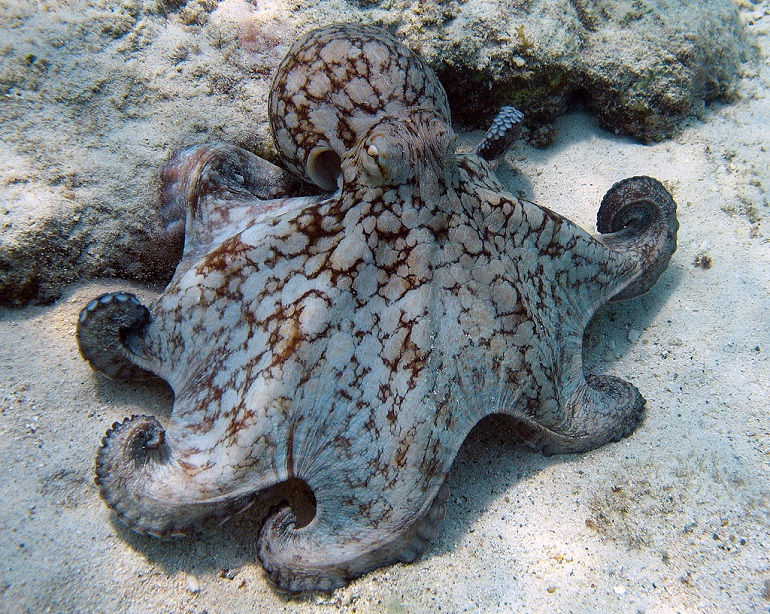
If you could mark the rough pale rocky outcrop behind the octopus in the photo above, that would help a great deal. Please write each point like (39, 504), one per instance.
(97, 95)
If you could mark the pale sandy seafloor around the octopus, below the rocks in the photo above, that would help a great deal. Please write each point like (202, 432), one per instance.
(675, 518)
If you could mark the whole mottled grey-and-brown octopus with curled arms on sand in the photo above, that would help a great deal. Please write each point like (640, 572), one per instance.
(329, 353)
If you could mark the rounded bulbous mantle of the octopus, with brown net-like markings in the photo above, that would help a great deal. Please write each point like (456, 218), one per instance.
(337, 82)
